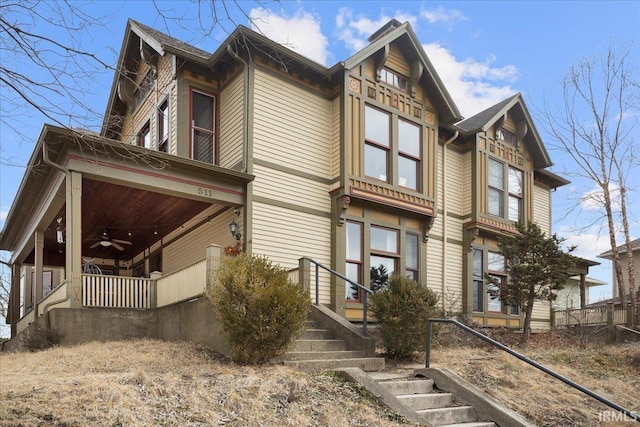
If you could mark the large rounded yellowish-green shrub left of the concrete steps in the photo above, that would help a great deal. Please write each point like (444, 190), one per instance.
(262, 311)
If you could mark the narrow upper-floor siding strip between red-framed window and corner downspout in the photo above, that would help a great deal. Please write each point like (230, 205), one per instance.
(231, 123)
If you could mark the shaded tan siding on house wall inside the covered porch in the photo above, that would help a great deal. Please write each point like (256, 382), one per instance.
(192, 247)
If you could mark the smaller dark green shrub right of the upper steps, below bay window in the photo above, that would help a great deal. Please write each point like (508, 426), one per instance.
(402, 310)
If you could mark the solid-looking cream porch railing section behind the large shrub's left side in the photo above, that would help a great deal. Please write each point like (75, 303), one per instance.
(182, 284)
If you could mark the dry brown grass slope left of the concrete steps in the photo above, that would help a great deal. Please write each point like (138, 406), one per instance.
(145, 383)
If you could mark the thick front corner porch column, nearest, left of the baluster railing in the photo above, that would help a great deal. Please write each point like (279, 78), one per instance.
(73, 245)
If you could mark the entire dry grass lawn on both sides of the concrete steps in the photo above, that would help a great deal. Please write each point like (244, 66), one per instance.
(155, 383)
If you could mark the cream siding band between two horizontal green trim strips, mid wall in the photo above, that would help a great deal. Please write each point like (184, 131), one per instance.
(277, 185)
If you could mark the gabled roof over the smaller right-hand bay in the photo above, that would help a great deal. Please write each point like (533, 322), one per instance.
(484, 120)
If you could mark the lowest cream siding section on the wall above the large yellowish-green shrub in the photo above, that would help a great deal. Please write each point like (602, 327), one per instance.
(285, 236)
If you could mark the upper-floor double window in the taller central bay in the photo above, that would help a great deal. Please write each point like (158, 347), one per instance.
(378, 151)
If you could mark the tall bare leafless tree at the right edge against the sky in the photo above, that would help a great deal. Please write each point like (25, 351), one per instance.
(595, 126)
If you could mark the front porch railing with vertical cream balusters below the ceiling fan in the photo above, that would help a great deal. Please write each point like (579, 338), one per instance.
(116, 292)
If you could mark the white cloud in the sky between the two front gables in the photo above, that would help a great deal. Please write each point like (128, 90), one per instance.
(473, 85)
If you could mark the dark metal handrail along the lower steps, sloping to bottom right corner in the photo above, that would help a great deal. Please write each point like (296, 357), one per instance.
(531, 362)
